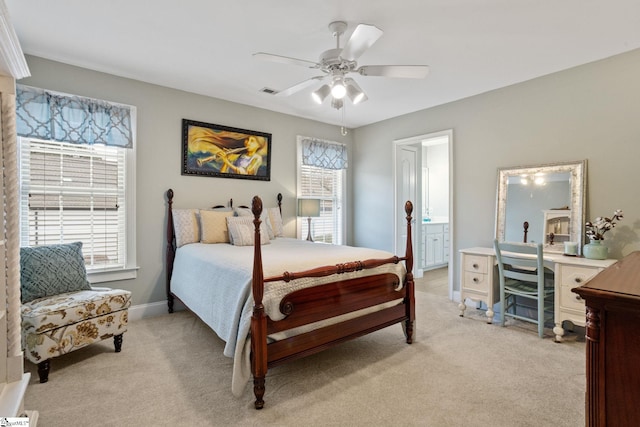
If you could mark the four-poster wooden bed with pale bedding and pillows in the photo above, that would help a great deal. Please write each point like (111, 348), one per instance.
(278, 299)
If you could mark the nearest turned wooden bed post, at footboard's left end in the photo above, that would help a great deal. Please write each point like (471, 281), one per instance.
(258, 319)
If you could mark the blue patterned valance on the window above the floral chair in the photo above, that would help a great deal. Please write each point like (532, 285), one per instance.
(59, 117)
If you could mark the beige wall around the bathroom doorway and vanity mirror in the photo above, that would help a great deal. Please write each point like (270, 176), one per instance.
(589, 112)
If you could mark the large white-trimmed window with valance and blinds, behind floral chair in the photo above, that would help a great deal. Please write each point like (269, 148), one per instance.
(74, 191)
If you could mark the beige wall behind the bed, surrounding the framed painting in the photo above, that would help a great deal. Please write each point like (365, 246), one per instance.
(160, 113)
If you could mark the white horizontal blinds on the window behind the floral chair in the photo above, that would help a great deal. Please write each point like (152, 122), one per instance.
(71, 192)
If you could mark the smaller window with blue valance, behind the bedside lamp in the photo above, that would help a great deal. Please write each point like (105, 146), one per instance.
(324, 180)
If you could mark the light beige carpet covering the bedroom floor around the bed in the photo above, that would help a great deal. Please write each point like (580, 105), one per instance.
(459, 372)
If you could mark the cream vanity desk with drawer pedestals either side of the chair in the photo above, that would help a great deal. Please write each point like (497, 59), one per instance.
(479, 282)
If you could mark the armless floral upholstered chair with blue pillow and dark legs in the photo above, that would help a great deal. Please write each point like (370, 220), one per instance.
(61, 312)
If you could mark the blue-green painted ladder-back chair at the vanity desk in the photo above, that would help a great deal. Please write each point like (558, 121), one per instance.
(522, 275)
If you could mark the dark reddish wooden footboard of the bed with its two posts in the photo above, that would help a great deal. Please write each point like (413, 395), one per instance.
(324, 302)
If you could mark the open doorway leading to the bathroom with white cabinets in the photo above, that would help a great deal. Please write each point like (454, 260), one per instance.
(423, 174)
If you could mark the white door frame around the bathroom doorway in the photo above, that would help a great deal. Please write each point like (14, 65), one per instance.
(417, 140)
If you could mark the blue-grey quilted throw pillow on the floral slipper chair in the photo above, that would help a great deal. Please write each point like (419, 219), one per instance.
(52, 270)
